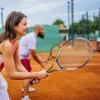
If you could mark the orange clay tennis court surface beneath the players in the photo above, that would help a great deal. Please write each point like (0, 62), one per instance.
(81, 84)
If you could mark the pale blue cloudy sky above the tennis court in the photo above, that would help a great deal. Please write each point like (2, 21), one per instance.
(47, 11)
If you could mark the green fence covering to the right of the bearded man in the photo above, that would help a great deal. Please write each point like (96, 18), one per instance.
(51, 38)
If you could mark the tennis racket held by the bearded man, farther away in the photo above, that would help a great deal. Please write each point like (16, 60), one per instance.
(53, 52)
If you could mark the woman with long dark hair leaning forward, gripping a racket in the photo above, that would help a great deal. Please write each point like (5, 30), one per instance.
(15, 27)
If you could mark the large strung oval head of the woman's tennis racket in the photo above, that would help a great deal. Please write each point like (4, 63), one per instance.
(75, 54)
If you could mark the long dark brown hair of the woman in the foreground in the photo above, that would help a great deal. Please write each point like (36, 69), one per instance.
(12, 20)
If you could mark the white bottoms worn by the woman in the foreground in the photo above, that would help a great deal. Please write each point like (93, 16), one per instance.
(3, 89)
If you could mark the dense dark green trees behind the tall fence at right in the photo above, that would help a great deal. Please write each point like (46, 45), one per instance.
(84, 26)
